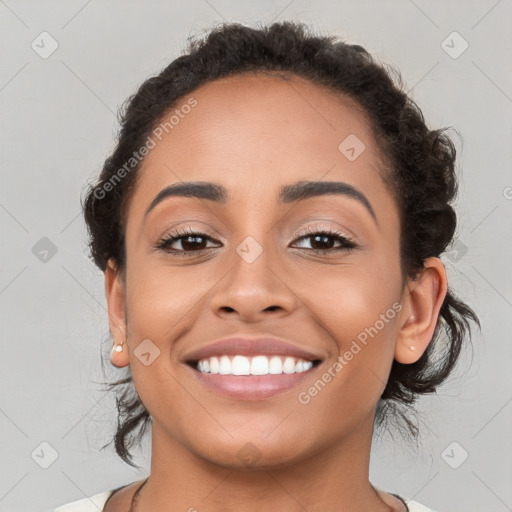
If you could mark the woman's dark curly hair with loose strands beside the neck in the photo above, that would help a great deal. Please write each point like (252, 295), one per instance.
(420, 161)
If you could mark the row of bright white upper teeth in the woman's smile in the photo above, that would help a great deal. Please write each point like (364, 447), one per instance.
(257, 365)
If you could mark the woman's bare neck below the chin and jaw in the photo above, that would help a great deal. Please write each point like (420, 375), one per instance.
(334, 477)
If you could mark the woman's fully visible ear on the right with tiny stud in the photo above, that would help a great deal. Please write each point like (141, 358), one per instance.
(422, 301)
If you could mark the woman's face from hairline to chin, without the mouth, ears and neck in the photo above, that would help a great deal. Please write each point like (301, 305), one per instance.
(320, 271)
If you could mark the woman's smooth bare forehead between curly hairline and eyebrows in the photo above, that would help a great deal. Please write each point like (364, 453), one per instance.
(258, 132)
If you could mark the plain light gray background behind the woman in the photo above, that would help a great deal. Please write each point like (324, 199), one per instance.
(58, 125)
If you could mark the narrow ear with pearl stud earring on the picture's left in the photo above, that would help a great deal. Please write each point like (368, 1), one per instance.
(115, 293)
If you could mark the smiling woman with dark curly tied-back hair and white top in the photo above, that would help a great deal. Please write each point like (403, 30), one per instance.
(270, 225)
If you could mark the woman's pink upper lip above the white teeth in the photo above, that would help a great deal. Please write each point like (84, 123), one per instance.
(250, 347)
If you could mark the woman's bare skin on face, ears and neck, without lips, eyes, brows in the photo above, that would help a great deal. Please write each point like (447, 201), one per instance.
(254, 134)
